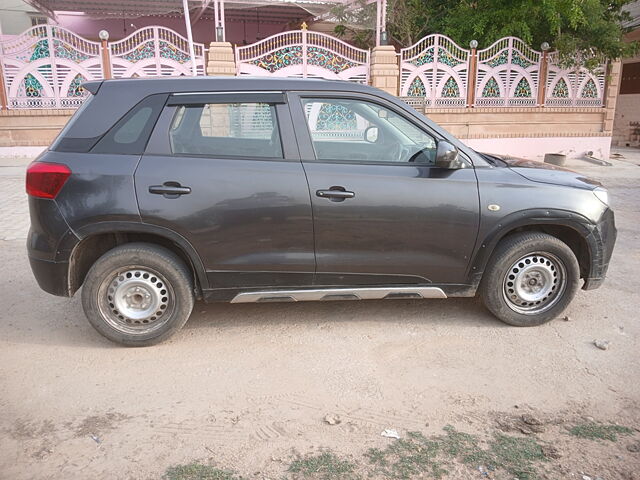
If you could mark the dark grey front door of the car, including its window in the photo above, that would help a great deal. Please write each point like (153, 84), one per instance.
(383, 213)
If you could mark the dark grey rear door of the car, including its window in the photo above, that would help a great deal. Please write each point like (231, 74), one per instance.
(223, 171)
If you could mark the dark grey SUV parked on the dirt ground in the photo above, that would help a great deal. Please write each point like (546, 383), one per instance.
(160, 192)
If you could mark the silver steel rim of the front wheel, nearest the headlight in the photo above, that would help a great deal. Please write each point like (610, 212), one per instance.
(534, 283)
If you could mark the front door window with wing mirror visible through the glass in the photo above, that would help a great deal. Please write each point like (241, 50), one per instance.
(356, 130)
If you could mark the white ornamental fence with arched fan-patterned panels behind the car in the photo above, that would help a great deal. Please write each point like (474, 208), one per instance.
(45, 66)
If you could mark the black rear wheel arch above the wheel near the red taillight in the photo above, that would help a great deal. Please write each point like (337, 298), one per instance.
(98, 239)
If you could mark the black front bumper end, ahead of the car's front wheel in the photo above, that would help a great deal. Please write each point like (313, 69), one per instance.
(601, 242)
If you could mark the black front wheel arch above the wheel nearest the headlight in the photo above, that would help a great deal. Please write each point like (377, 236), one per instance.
(569, 227)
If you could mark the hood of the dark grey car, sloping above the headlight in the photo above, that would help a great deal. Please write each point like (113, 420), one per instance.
(547, 173)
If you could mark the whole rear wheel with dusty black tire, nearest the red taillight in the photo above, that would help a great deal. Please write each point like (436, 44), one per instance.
(124, 288)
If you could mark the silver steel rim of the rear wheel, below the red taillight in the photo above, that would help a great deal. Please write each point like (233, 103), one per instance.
(136, 300)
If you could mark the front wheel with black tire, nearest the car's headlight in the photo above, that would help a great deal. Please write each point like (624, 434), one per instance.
(520, 259)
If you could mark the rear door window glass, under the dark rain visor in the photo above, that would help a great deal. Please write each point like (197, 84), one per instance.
(226, 130)
